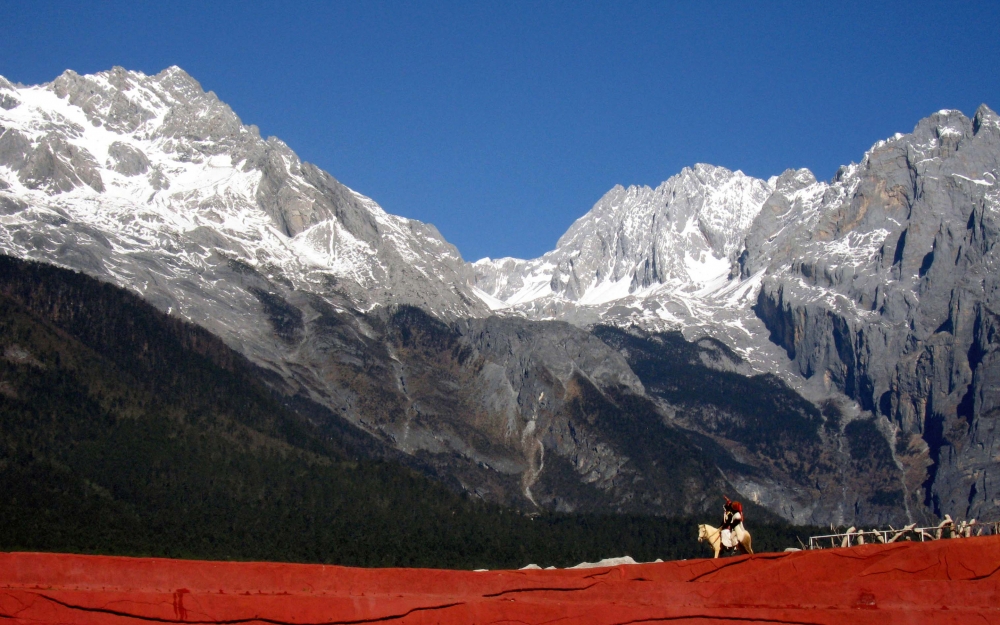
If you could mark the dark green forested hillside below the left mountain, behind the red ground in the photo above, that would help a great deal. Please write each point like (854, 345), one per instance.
(125, 431)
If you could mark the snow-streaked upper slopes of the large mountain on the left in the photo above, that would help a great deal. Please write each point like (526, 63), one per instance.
(155, 185)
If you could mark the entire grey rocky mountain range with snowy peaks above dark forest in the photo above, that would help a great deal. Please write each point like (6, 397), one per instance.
(869, 300)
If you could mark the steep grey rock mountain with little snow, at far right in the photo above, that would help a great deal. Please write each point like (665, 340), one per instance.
(883, 284)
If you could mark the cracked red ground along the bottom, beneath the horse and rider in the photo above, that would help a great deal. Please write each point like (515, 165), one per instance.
(947, 581)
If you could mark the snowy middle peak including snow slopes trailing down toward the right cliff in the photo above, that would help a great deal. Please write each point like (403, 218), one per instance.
(658, 259)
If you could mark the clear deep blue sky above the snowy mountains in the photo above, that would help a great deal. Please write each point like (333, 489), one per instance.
(501, 123)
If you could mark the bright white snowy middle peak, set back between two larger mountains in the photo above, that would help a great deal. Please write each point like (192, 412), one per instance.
(683, 235)
